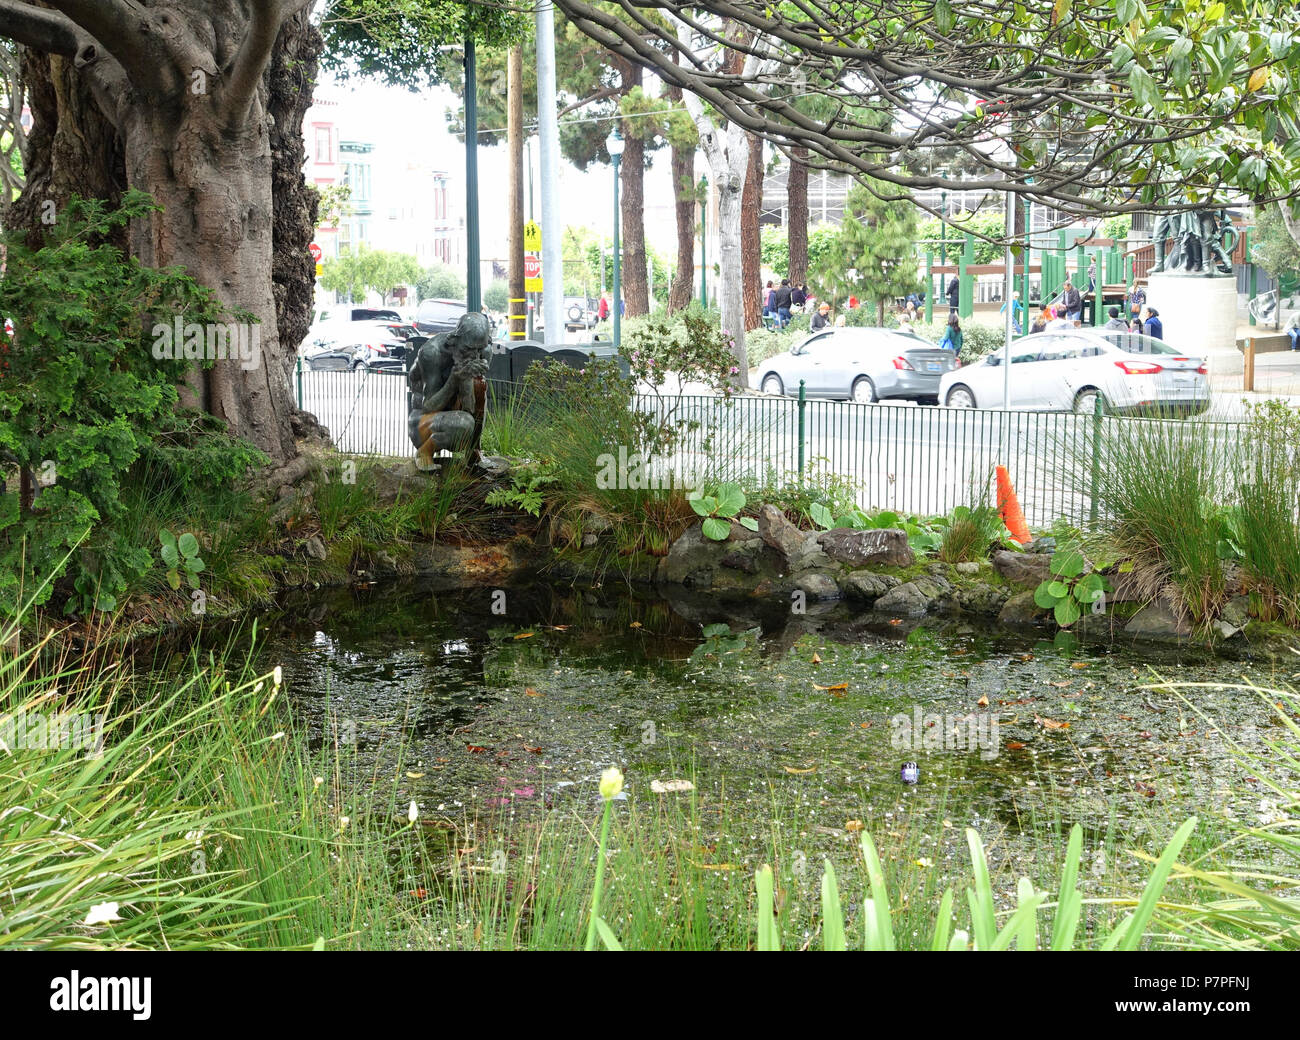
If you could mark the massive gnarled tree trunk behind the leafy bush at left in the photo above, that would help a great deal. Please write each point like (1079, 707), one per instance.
(200, 106)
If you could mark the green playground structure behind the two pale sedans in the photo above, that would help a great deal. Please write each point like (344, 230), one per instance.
(1041, 274)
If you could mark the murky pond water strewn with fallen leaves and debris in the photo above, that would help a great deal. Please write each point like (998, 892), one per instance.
(518, 712)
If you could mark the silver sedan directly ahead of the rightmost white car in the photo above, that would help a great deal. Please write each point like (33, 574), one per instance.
(860, 365)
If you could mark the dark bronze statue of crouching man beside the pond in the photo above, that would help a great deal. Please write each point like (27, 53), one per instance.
(449, 391)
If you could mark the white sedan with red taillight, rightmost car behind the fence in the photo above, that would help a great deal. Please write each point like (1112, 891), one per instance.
(1068, 370)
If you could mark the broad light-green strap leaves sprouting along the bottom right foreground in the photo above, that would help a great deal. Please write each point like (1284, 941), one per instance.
(1021, 928)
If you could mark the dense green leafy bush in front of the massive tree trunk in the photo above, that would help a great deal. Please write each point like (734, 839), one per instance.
(84, 404)
